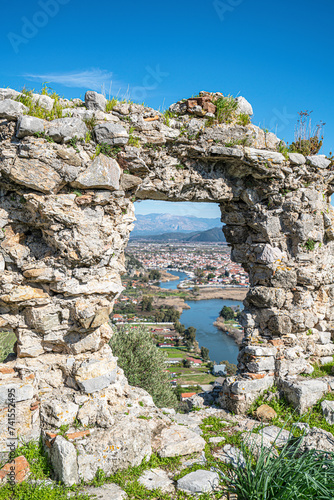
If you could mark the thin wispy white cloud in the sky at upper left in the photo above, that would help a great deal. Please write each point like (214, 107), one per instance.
(95, 79)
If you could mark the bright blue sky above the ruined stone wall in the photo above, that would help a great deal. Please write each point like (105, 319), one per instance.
(279, 55)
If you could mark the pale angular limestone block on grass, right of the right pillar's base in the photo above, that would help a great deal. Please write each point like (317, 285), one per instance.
(303, 394)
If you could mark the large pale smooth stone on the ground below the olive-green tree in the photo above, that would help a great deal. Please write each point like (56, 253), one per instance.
(178, 440)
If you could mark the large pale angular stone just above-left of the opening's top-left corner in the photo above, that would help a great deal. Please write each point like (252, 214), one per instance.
(103, 173)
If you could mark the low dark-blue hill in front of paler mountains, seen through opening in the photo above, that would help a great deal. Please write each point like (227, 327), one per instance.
(214, 235)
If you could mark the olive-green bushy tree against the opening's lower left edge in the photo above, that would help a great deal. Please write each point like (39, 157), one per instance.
(143, 364)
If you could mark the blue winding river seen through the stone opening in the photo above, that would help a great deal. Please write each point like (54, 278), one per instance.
(202, 315)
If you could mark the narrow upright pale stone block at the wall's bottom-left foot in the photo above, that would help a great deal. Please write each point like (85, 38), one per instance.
(64, 461)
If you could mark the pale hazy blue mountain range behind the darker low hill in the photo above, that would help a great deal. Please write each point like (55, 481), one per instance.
(167, 223)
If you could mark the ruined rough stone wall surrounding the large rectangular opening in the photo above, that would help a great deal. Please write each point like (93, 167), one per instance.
(66, 217)
